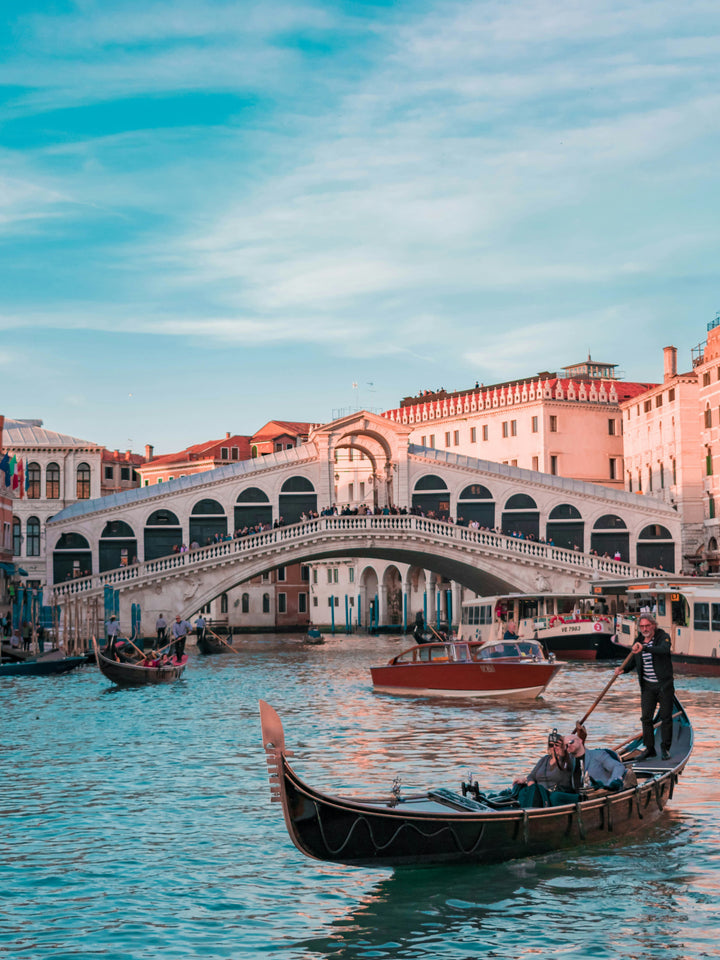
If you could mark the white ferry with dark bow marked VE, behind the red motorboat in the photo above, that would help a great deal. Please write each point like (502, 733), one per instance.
(572, 626)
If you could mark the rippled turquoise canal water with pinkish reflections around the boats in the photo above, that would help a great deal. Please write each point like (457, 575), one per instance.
(137, 823)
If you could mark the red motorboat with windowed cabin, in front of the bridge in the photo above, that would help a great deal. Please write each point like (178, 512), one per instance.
(466, 668)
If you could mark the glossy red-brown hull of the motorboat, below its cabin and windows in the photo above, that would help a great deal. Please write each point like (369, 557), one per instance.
(464, 679)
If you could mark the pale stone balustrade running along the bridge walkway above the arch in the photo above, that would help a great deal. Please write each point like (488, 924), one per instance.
(351, 529)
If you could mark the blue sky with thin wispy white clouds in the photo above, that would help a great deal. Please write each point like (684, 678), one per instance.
(213, 214)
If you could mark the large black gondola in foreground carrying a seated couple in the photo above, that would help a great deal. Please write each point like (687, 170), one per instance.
(447, 826)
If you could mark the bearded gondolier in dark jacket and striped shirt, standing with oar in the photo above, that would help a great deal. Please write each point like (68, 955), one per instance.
(652, 660)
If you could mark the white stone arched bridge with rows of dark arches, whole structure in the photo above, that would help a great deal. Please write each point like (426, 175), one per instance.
(132, 541)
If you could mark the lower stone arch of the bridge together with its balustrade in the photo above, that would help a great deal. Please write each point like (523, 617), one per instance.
(484, 561)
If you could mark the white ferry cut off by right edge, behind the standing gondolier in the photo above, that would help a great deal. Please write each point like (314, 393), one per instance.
(687, 609)
